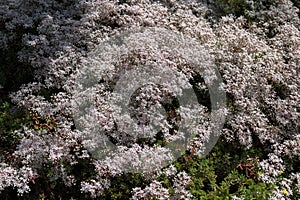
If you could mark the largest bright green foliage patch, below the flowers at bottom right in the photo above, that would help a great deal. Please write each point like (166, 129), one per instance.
(222, 174)
